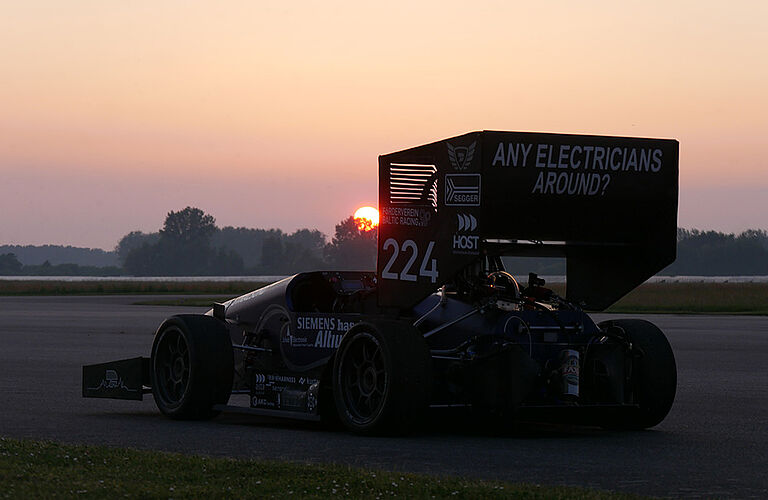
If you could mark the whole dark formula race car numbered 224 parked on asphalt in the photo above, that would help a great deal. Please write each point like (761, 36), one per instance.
(441, 323)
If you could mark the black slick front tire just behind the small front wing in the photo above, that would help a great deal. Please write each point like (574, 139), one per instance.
(191, 367)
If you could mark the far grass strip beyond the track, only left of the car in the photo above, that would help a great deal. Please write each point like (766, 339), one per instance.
(27, 287)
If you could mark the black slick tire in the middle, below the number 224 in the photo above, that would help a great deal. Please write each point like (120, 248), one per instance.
(382, 378)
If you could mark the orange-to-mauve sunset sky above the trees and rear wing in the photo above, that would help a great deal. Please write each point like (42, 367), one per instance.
(273, 114)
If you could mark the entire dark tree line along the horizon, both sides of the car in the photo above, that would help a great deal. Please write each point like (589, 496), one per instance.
(190, 243)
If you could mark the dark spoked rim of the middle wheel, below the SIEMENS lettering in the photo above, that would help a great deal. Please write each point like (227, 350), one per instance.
(364, 378)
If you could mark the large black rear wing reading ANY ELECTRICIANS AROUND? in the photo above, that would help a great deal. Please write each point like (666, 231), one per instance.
(606, 204)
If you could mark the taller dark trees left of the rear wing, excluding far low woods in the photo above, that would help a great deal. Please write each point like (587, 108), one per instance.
(190, 243)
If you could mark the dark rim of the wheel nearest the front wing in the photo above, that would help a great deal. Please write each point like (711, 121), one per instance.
(172, 366)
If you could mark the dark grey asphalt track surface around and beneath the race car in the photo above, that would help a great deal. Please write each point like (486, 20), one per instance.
(714, 443)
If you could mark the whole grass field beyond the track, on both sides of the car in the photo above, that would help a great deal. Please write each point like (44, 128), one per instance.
(663, 297)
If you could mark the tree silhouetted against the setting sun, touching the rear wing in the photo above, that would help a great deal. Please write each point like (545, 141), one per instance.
(352, 248)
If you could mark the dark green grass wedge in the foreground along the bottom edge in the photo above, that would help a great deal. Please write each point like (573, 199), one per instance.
(34, 469)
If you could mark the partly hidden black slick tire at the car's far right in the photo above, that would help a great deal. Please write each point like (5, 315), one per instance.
(654, 374)
